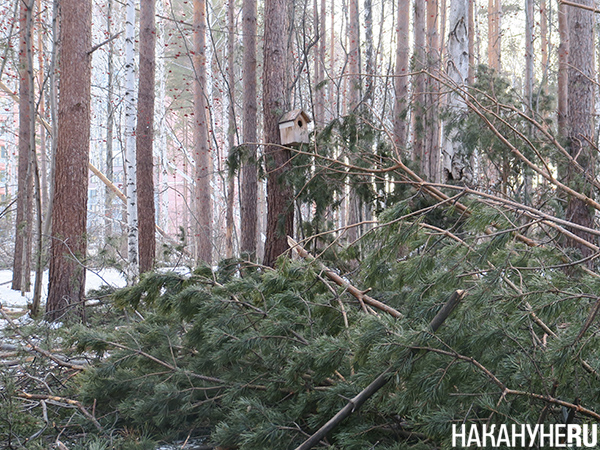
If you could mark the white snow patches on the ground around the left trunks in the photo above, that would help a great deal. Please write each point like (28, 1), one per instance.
(94, 279)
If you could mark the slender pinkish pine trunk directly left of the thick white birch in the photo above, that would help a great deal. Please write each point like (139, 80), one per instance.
(431, 166)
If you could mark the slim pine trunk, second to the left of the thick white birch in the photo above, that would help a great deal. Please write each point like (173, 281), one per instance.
(419, 80)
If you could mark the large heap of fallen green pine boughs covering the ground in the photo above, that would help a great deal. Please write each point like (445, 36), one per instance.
(261, 360)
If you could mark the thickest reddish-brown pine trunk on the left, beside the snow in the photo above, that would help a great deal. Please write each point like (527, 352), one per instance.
(69, 212)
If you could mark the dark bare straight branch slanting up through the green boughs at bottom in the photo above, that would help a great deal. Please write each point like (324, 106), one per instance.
(355, 403)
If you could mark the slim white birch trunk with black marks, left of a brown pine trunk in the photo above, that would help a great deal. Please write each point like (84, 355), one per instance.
(130, 124)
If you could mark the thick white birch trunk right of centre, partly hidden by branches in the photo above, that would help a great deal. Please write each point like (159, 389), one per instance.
(456, 163)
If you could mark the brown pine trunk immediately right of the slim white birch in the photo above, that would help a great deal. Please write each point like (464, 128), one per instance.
(145, 136)
